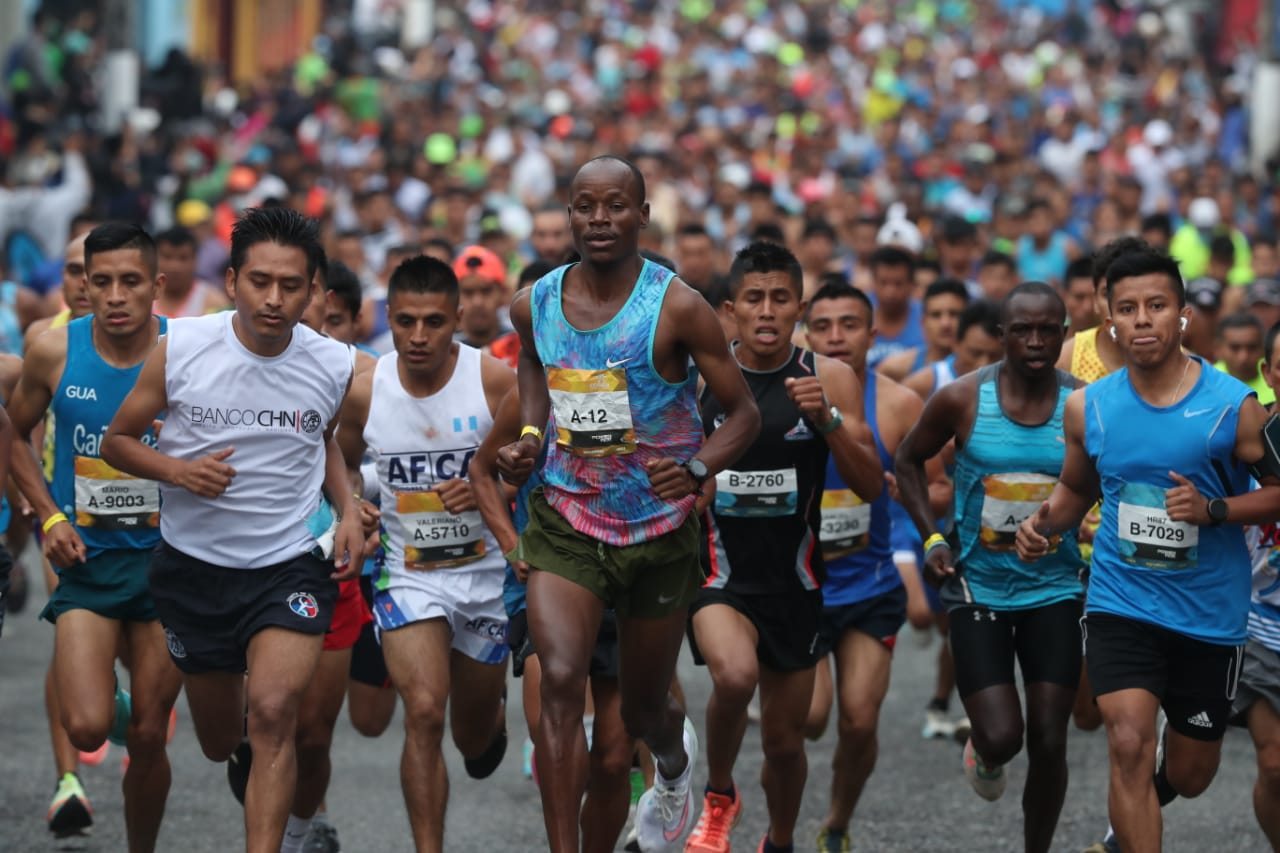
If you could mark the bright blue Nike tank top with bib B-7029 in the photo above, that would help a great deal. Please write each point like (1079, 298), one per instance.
(1190, 580)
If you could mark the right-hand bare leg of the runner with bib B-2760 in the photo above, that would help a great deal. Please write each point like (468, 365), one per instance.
(784, 706)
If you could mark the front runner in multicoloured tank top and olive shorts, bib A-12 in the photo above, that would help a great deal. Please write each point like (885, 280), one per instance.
(612, 523)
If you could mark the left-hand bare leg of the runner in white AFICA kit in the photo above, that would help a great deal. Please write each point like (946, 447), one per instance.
(418, 659)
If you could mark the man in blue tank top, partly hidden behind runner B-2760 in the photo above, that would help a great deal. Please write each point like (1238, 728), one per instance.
(865, 596)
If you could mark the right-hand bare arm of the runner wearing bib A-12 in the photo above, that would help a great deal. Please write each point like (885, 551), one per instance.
(698, 331)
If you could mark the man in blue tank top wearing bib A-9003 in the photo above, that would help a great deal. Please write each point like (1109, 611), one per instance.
(100, 527)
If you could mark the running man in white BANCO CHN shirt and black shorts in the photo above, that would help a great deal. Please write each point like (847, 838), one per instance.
(248, 445)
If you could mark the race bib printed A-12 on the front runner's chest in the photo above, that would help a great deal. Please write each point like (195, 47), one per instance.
(593, 412)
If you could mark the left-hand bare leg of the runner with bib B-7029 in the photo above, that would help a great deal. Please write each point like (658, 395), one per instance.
(1131, 720)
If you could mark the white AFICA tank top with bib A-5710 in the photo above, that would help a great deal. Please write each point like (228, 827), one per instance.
(417, 444)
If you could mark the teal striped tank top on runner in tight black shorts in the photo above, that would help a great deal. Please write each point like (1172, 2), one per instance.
(1004, 472)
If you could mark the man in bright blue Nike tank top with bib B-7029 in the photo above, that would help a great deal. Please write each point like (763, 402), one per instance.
(1169, 445)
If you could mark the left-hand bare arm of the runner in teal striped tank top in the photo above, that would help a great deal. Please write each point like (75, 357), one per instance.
(936, 427)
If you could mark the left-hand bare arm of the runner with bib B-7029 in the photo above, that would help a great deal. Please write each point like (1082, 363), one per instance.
(1077, 491)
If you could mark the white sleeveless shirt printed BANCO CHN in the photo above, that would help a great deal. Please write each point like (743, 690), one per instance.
(275, 413)
